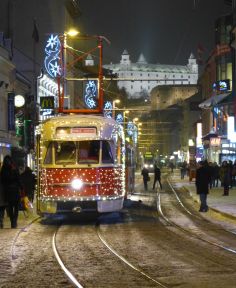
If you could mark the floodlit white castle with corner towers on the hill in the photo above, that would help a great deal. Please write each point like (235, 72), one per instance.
(139, 78)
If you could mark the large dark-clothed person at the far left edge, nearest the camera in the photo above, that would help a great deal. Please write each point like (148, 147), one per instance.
(11, 188)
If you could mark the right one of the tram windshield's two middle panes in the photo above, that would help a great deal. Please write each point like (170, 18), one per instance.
(88, 152)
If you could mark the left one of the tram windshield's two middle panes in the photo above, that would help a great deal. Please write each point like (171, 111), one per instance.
(65, 152)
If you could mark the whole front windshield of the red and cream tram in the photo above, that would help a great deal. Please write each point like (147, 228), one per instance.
(78, 152)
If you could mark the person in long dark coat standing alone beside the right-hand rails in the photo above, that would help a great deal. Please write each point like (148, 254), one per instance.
(202, 184)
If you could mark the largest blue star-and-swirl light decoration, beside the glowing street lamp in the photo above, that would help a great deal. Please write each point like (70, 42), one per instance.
(52, 57)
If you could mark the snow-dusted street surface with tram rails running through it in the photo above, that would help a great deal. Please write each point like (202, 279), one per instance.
(153, 242)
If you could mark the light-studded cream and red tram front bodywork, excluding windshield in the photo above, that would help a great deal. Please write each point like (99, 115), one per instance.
(100, 182)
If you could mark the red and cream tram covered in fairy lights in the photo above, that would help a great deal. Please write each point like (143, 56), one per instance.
(81, 160)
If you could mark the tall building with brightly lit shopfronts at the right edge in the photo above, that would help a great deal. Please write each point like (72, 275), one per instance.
(218, 92)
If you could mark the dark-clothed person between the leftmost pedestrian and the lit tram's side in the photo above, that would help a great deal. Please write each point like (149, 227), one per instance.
(28, 181)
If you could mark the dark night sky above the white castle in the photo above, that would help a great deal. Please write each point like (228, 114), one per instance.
(165, 31)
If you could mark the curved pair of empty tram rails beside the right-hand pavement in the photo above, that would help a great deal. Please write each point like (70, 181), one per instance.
(197, 217)
